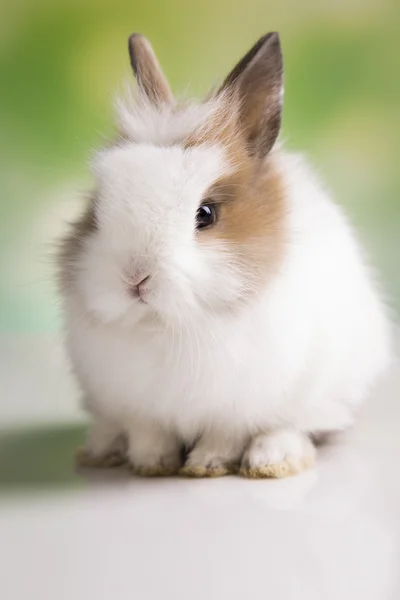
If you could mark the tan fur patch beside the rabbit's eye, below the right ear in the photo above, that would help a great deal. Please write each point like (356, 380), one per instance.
(250, 200)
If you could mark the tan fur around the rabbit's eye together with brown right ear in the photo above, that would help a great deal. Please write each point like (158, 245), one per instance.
(250, 200)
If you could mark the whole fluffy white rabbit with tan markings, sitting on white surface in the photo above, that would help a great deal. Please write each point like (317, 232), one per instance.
(219, 312)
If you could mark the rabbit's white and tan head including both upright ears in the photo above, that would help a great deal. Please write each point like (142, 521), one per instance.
(187, 218)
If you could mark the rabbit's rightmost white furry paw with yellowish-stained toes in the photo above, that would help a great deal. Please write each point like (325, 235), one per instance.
(277, 454)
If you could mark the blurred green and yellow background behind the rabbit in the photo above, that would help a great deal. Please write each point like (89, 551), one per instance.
(61, 60)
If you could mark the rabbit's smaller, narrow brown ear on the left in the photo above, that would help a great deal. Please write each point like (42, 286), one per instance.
(149, 75)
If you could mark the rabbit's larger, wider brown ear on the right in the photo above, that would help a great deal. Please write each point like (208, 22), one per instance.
(257, 80)
